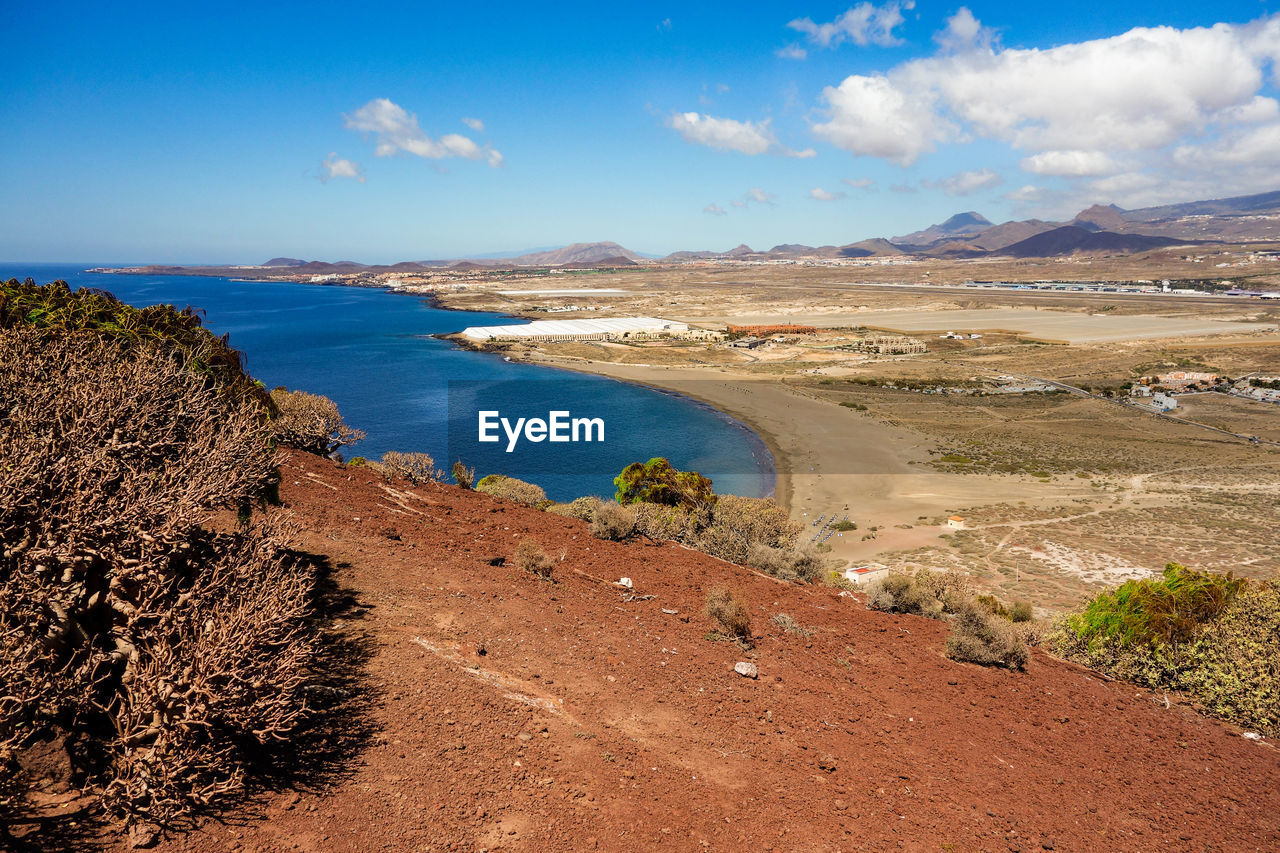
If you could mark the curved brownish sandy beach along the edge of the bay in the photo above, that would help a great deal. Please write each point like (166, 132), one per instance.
(834, 460)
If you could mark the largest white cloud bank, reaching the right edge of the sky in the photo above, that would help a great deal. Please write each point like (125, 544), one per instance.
(1144, 115)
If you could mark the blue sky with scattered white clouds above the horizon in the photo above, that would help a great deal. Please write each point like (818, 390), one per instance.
(385, 133)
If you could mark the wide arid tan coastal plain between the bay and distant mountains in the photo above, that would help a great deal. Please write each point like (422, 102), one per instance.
(1063, 491)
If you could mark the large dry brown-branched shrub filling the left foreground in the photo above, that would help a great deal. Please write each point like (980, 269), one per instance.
(163, 653)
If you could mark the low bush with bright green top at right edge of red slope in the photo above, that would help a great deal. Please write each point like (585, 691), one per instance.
(1214, 637)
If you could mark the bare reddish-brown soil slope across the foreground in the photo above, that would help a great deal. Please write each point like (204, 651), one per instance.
(510, 713)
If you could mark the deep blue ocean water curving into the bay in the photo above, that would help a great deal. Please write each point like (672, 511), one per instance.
(372, 353)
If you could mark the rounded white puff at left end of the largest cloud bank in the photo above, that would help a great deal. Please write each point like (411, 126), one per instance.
(874, 117)
